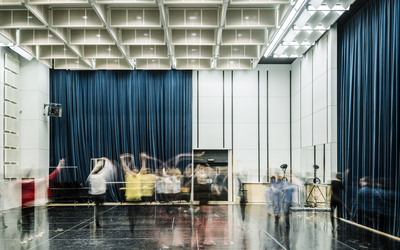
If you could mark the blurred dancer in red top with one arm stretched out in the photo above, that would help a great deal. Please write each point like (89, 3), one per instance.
(28, 200)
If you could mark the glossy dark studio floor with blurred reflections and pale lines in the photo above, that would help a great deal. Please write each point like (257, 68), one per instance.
(180, 227)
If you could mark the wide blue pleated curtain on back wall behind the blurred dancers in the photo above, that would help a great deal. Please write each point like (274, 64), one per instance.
(107, 113)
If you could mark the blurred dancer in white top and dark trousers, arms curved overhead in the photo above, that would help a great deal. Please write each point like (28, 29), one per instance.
(98, 185)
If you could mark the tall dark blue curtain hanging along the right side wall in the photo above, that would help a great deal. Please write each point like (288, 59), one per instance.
(368, 115)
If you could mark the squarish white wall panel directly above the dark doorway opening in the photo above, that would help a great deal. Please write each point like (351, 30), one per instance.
(210, 135)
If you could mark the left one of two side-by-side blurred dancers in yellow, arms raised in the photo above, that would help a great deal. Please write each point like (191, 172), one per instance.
(133, 188)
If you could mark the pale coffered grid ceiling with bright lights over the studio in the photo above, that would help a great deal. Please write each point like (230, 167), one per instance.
(164, 34)
